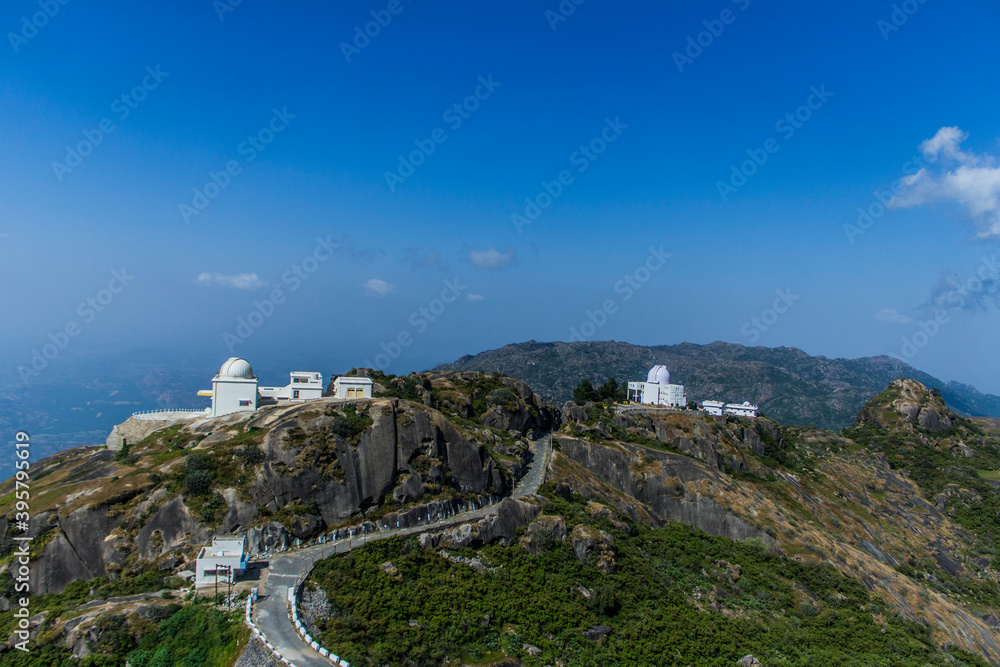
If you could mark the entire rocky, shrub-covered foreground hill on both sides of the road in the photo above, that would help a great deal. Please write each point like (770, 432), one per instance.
(887, 529)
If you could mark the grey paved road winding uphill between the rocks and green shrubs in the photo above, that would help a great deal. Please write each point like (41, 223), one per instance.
(271, 610)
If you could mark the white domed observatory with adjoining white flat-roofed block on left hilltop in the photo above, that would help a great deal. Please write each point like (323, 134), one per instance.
(235, 388)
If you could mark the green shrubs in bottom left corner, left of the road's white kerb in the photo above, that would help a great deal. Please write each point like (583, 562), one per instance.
(168, 635)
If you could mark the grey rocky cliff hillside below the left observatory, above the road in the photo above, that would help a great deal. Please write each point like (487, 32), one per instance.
(281, 474)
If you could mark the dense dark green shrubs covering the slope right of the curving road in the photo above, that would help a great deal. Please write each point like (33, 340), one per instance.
(663, 606)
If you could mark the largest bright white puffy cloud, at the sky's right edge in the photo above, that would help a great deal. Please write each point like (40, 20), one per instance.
(970, 180)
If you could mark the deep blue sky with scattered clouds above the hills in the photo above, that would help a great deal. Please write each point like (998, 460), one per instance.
(662, 130)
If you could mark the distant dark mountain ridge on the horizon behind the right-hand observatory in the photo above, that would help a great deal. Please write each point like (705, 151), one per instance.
(788, 384)
